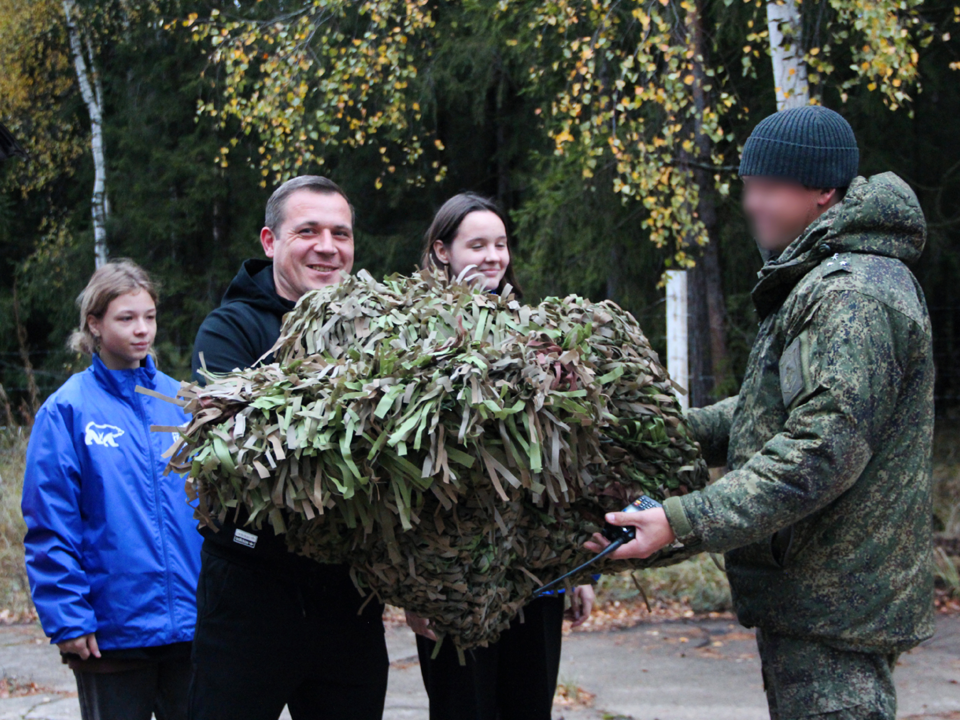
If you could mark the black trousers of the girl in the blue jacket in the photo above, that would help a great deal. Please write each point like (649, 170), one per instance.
(137, 694)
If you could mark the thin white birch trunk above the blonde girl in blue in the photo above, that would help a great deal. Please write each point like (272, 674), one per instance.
(91, 90)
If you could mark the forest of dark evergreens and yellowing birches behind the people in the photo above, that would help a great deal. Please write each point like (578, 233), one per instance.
(608, 129)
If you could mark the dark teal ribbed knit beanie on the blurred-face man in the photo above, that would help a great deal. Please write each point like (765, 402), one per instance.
(811, 145)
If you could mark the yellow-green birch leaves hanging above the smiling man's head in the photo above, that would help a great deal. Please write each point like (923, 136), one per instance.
(328, 73)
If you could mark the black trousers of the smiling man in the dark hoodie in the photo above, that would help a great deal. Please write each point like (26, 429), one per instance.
(266, 639)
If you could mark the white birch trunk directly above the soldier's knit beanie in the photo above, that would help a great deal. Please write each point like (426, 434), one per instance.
(784, 24)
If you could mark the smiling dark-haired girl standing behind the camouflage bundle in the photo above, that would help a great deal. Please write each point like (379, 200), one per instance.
(516, 677)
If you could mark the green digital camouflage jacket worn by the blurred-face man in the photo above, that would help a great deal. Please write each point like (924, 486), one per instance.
(825, 513)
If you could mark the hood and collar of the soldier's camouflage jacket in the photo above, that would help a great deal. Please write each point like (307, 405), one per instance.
(879, 216)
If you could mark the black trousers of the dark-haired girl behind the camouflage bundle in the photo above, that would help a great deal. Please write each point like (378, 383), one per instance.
(512, 679)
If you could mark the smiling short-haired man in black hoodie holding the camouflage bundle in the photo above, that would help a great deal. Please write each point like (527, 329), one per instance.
(274, 628)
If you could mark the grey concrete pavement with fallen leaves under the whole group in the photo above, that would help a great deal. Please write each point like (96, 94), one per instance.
(683, 670)
